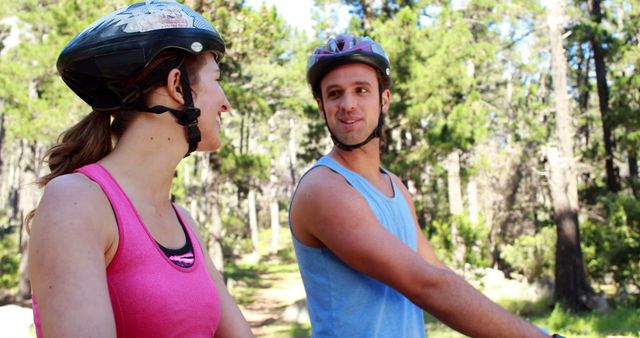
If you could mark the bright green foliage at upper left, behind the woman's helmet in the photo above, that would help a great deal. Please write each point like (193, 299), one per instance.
(37, 104)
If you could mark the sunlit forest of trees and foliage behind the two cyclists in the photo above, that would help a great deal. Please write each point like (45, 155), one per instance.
(514, 124)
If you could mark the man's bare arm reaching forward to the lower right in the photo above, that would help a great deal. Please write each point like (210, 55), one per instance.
(327, 208)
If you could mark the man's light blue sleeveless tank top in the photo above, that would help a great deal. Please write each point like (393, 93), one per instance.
(345, 303)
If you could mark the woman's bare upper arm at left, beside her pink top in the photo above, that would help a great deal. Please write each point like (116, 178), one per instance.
(73, 229)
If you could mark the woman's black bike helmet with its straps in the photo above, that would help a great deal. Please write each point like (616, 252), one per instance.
(121, 45)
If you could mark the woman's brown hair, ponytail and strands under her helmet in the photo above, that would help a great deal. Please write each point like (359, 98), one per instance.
(93, 137)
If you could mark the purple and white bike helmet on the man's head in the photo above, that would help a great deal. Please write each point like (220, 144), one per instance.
(345, 49)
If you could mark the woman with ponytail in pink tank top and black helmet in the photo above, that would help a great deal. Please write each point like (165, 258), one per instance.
(110, 255)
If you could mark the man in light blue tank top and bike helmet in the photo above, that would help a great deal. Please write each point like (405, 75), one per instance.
(367, 269)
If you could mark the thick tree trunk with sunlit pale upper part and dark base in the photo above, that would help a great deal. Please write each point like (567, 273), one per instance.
(571, 289)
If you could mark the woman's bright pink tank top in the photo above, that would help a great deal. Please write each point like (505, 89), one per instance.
(150, 295)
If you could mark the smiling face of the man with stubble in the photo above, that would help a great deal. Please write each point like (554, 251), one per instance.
(351, 101)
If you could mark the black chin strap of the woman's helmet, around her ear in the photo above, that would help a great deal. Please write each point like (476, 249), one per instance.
(187, 117)
